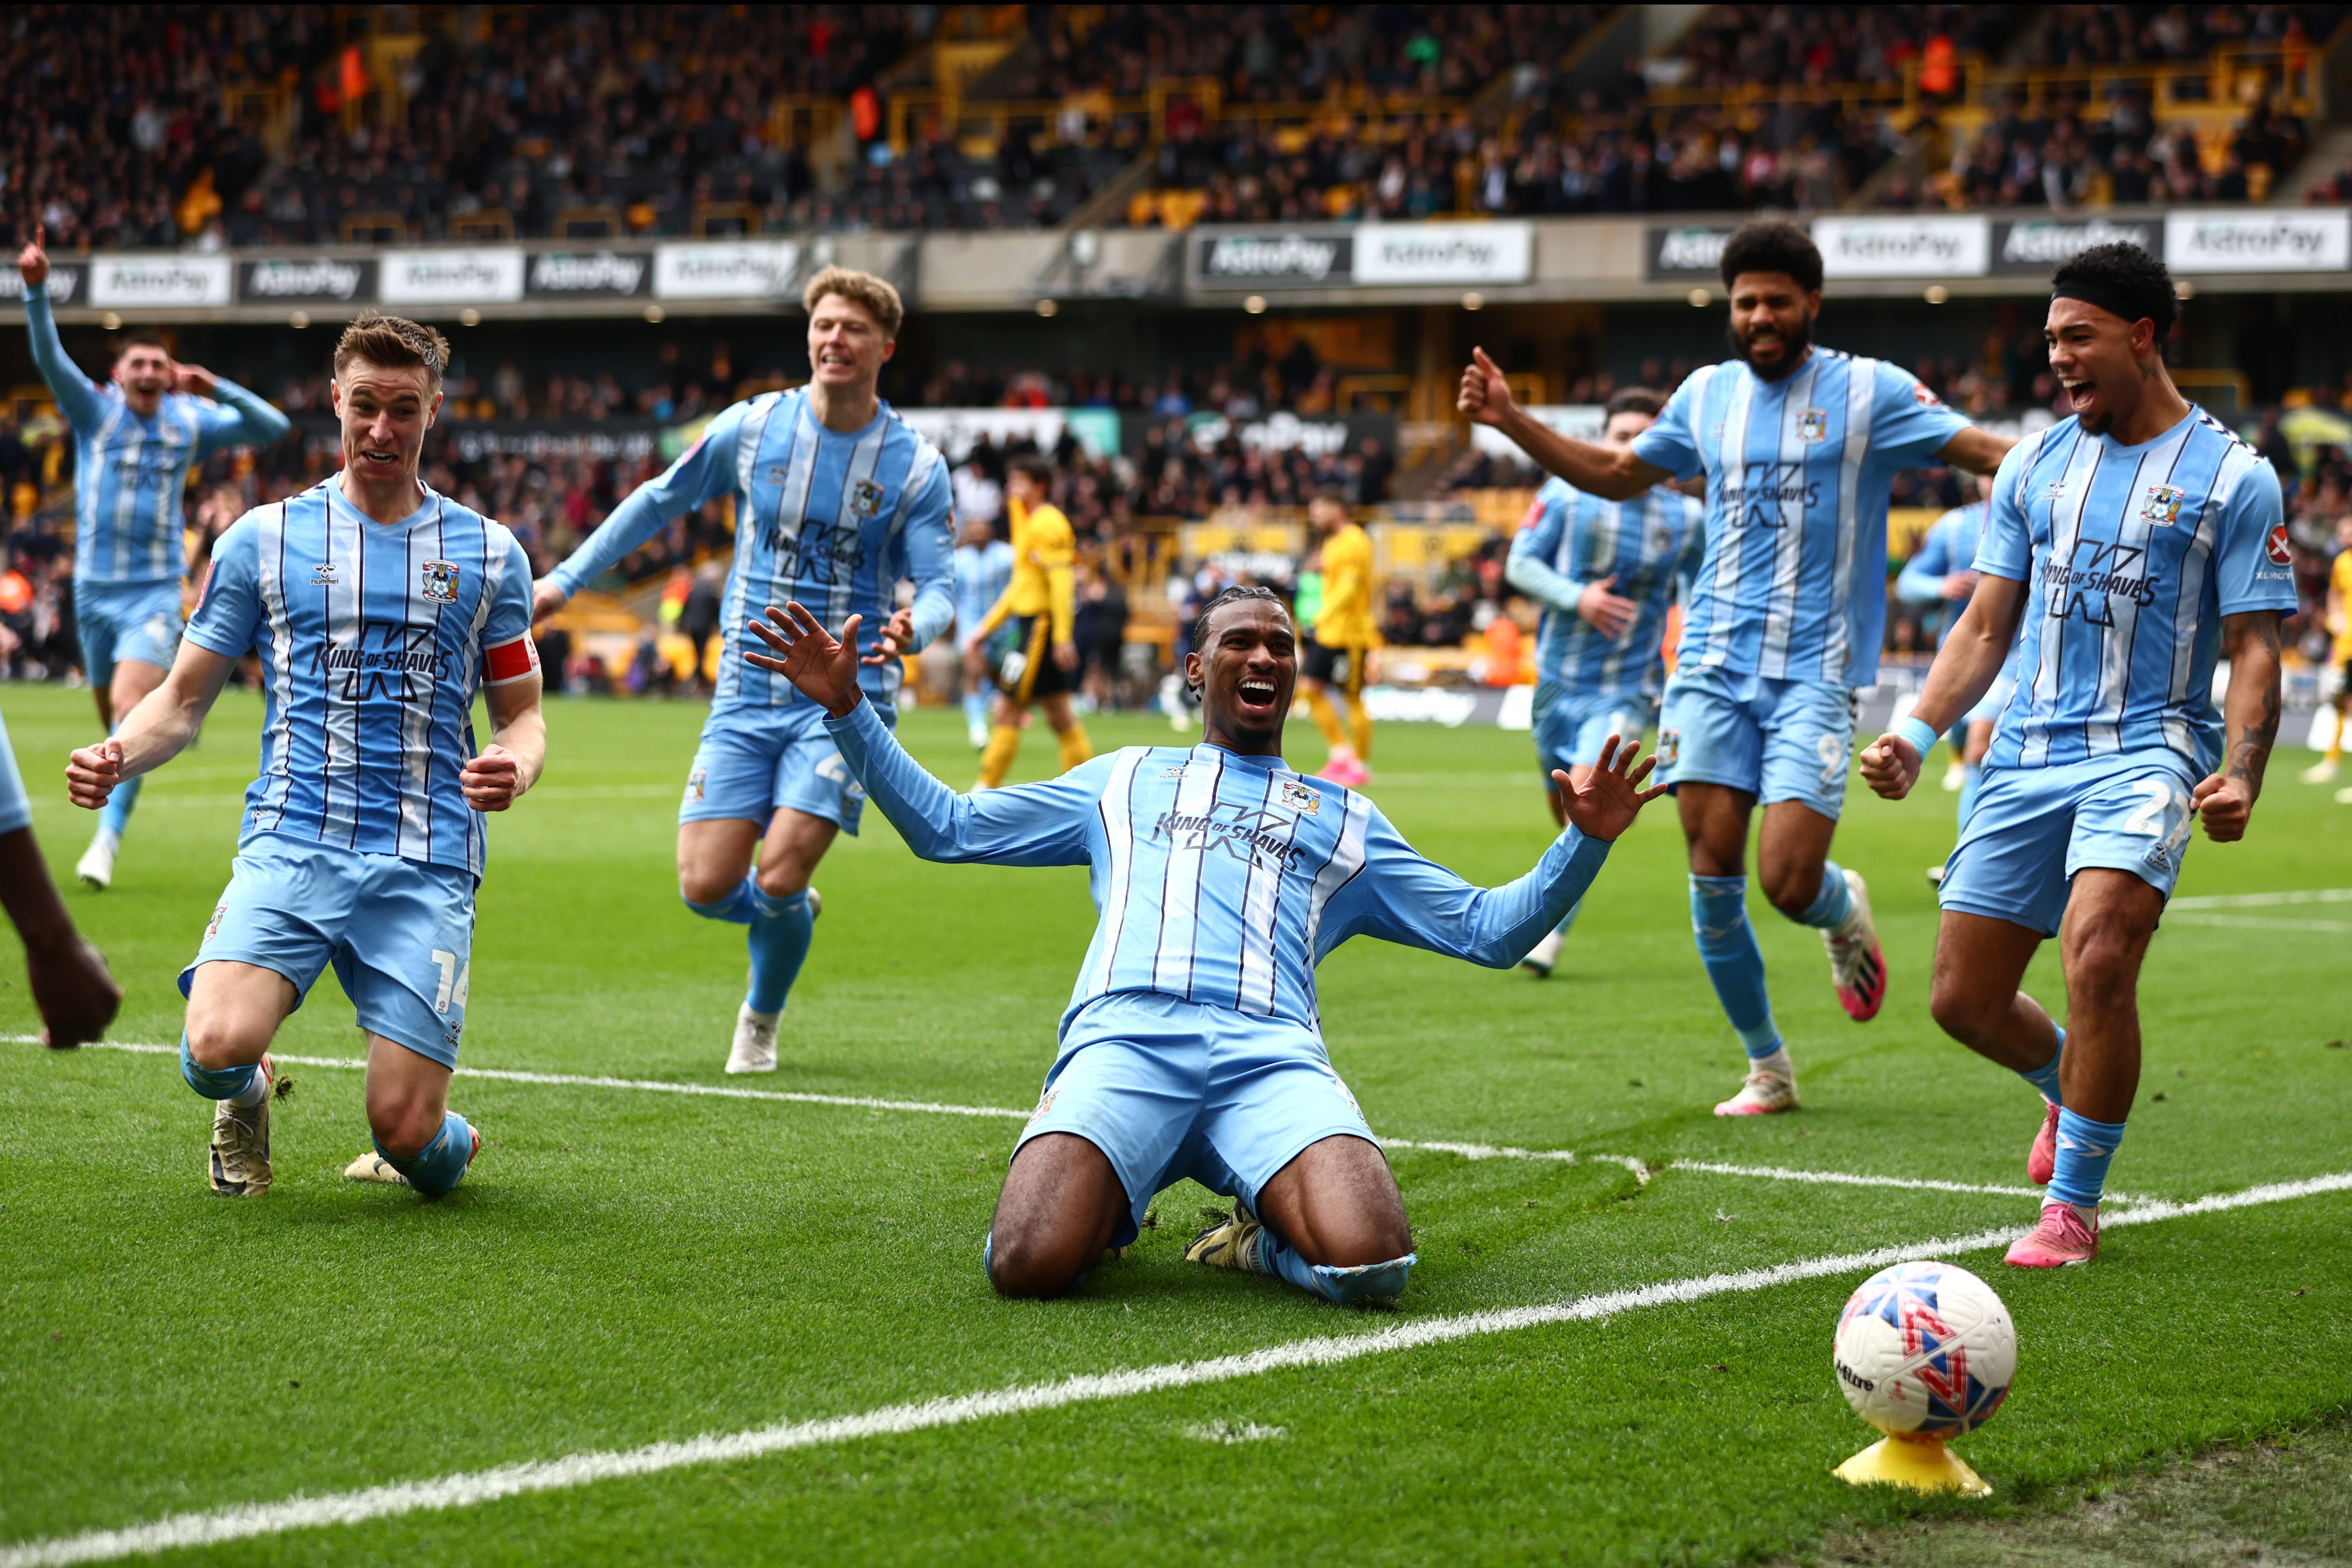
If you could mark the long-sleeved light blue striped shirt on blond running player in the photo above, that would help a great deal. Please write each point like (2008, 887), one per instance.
(822, 518)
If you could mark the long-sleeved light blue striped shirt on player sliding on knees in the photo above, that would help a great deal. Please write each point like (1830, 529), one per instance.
(1220, 878)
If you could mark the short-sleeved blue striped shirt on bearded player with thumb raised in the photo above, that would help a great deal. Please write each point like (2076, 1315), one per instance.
(1793, 584)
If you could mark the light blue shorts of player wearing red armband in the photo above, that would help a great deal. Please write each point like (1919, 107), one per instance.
(399, 934)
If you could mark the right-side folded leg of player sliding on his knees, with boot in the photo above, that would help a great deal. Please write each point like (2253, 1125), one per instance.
(1330, 1221)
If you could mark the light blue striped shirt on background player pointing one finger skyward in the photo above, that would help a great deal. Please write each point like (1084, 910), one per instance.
(131, 471)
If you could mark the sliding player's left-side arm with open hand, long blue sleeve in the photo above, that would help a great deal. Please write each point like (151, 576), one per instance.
(1041, 824)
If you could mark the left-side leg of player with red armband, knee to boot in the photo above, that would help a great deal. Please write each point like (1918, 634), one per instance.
(234, 1012)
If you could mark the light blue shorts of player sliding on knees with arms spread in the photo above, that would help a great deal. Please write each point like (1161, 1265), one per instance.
(1175, 1090)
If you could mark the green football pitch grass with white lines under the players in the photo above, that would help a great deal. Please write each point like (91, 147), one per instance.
(1589, 1367)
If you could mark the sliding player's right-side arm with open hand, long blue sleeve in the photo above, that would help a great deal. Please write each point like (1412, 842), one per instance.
(1408, 899)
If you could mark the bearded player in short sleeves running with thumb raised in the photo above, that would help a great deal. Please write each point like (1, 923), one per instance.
(1798, 445)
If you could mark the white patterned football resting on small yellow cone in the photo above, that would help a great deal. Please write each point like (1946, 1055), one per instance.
(1925, 1351)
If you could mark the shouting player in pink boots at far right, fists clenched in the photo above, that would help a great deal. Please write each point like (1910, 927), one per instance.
(2132, 544)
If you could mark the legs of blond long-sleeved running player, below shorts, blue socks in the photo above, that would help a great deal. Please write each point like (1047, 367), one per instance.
(775, 899)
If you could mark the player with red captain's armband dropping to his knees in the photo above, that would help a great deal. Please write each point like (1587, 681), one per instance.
(377, 608)
